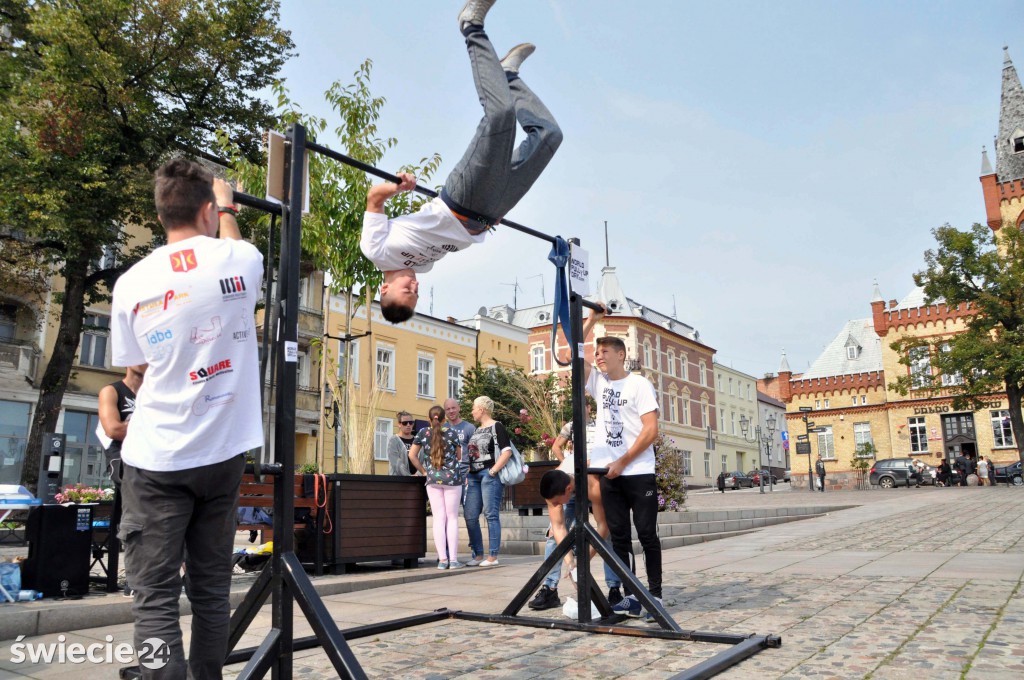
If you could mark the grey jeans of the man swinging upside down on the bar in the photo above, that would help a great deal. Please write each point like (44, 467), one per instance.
(494, 175)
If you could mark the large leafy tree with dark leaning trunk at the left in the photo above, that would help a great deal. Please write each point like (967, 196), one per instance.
(95, 95)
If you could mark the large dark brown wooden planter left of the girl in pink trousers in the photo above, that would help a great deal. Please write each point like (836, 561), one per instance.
(371, 519)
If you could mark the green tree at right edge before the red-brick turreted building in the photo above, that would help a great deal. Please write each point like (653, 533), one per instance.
(985, 272)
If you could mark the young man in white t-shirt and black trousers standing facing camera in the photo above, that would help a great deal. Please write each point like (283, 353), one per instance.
(627, 428)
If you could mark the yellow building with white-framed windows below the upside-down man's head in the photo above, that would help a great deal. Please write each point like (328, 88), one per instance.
(407, 367)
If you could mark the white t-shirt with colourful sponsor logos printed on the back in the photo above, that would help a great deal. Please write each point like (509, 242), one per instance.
(188, 312)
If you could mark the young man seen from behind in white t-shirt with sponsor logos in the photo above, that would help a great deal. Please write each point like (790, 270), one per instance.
(187, 312)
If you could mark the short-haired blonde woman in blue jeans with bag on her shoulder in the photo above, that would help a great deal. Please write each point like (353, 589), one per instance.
(490, 450)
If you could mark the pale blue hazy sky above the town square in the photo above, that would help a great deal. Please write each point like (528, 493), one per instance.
(760, 165)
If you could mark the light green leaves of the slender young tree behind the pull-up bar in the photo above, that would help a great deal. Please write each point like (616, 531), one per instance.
(337, 192)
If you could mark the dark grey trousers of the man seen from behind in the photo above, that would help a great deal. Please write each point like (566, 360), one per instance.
(175, 518)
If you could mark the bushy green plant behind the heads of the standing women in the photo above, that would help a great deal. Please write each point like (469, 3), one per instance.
(546, 401)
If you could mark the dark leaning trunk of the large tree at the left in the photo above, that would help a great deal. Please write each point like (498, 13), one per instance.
(55, 381)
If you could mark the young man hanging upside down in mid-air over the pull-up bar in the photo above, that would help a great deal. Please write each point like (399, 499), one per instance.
(487, 184)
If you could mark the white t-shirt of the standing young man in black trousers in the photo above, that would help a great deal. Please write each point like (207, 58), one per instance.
(620, 405)
